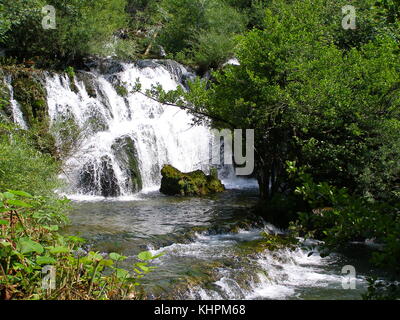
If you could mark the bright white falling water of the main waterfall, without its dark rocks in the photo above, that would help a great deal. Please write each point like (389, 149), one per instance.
(162, 134)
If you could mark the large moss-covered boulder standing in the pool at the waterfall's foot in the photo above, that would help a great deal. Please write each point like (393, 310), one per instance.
(196, 183)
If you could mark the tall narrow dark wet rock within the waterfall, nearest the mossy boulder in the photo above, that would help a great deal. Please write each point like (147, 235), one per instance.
(127, 158)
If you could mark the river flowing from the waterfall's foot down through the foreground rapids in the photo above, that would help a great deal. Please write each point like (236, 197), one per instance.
(210, 248)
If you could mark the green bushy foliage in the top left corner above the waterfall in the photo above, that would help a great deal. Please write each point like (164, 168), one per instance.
(82, 27)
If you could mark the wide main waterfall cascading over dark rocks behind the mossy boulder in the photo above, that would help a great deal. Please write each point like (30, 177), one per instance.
(124, 138)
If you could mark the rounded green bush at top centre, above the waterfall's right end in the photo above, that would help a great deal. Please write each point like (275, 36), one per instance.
(201, 32)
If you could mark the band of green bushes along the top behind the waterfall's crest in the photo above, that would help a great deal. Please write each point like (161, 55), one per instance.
(196, 32)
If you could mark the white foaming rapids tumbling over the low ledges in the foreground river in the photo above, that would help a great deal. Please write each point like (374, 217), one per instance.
(281, 274)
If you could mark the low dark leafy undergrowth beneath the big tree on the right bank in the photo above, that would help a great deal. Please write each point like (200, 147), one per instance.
(337, 217)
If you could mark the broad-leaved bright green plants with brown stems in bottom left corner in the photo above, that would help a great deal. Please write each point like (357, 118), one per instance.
(27, 243)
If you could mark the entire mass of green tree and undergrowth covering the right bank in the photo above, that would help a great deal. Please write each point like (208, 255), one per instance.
(328, 101)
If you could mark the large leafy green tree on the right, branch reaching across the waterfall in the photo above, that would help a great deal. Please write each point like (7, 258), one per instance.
(329, 108)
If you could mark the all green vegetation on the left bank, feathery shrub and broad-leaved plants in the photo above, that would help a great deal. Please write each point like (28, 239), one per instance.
(29, 238)
